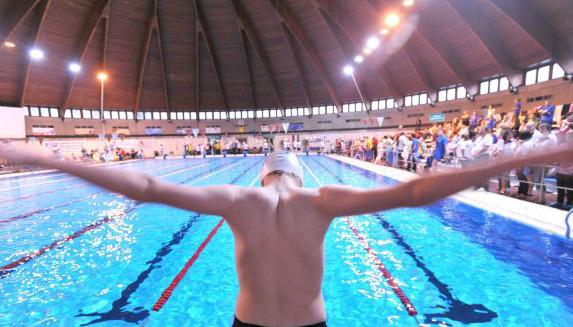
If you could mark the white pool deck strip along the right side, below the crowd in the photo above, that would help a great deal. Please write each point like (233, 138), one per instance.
(541, 217)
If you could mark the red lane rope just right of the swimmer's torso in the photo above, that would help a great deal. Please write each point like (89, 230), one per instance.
(408, 305)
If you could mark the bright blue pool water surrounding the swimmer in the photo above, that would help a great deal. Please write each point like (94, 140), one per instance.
(458, 265)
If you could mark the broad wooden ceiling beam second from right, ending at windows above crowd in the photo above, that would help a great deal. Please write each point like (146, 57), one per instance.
(488, 38)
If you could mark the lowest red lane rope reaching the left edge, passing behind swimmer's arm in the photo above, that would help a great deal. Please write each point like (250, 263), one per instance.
(7, 269)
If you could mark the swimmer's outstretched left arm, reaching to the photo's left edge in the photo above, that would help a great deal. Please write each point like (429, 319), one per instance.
(215, 200)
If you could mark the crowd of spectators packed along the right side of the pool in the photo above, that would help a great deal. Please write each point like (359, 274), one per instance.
(477, 138)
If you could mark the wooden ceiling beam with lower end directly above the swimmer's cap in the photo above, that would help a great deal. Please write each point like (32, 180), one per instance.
(253, 39)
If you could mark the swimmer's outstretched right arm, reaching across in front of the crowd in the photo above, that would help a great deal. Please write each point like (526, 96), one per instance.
(336, 201)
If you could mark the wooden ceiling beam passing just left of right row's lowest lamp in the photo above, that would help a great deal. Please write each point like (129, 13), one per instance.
(285, 17)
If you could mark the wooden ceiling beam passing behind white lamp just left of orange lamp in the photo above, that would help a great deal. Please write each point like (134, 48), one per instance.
(101, 10)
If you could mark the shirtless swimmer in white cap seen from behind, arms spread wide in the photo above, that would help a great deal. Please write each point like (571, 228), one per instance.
(279, 229)
